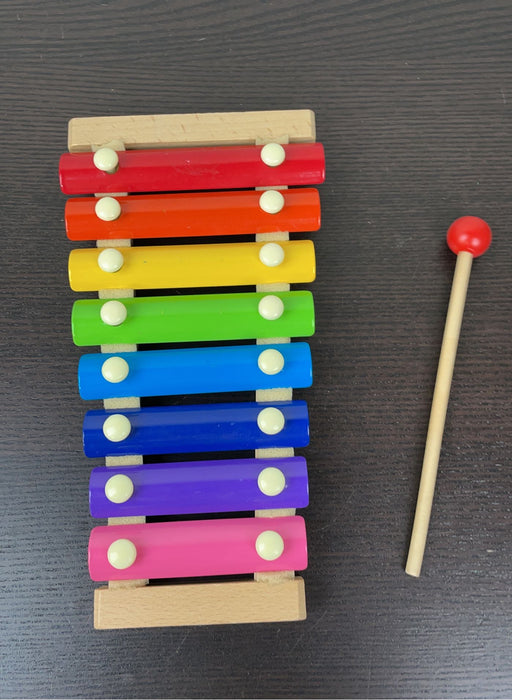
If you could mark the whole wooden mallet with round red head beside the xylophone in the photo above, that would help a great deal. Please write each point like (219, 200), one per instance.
(468, 237)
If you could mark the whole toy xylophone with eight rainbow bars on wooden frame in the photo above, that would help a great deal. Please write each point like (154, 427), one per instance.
(194, 176)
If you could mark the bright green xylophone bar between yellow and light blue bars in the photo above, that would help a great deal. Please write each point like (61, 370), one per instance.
(202, 317)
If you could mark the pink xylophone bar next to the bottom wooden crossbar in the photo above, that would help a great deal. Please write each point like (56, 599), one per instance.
(197, 548)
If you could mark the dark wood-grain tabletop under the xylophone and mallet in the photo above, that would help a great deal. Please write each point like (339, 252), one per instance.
(413, 105)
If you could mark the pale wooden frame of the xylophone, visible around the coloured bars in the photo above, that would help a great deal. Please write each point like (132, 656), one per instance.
(276, 596)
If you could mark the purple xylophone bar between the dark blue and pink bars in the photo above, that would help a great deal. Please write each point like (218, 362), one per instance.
(213, 486)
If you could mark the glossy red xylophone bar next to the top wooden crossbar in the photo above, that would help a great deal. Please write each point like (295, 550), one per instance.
(186, 169)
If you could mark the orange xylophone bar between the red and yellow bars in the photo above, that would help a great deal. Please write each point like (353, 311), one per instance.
(193, 214)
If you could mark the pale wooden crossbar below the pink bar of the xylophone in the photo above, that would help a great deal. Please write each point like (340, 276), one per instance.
(230, 602)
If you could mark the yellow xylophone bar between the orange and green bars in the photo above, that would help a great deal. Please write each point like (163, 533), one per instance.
(175, 266)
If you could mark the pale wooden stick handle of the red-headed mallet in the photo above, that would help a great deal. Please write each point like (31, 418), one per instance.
(438, 412)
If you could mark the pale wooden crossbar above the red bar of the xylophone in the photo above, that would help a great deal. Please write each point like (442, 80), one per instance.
(178, 130)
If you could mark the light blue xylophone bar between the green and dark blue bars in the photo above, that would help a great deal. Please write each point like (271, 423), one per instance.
(195, 371)
